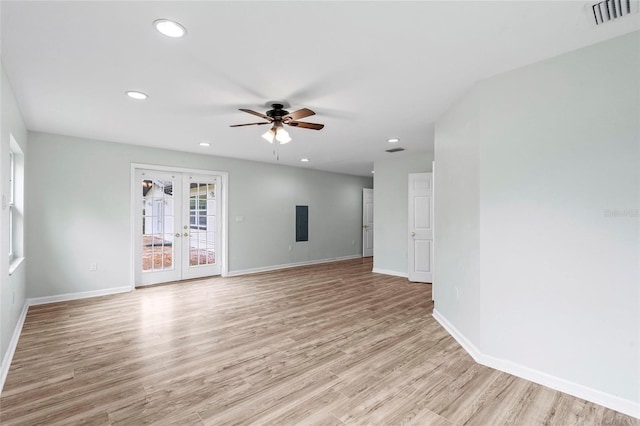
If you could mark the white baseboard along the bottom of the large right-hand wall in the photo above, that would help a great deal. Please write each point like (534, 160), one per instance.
(614, 402)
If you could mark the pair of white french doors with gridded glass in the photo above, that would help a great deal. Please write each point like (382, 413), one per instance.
(177, 226)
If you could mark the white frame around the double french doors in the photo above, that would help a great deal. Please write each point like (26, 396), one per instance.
(224, 181)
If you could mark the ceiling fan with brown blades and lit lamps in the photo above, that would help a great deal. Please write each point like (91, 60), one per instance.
(278, 116)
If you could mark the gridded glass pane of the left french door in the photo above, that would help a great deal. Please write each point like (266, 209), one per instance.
(157, 225)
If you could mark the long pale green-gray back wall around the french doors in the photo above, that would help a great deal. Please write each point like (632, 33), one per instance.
(79, 212)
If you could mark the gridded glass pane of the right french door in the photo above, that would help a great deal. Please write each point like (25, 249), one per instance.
(202, 223)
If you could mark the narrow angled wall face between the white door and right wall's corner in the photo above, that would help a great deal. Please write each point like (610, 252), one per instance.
(456, 281)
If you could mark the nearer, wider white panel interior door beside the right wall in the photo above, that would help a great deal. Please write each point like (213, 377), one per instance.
(420, 237)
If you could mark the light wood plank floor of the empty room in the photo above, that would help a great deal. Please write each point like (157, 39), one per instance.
(330, 344)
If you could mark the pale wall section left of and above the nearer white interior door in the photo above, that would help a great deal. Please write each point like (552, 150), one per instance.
(390, 209)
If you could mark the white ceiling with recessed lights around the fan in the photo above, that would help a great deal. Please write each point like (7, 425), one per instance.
(370, 70)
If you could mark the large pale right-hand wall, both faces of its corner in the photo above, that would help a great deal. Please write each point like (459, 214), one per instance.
(538, 189)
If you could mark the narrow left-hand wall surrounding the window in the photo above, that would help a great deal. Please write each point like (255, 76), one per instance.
(12, 287)
